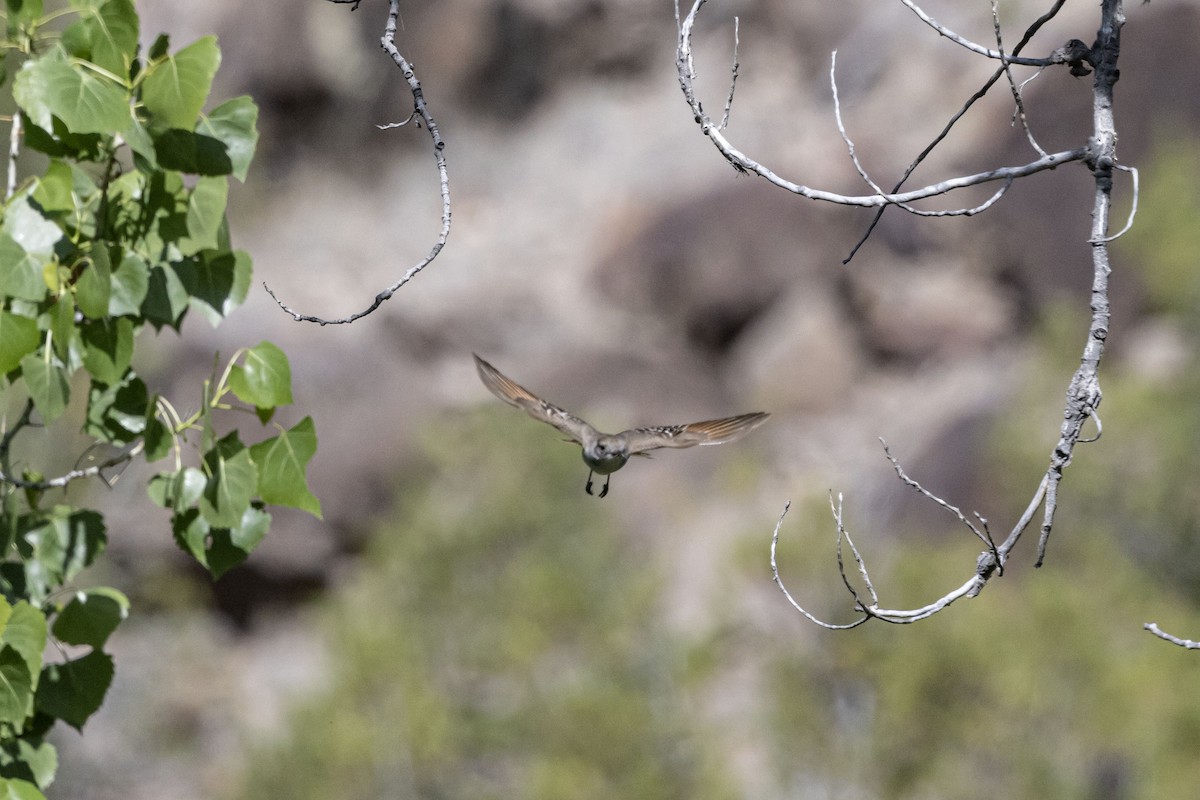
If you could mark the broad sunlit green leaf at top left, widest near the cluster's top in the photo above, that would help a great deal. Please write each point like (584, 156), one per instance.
(51, 87)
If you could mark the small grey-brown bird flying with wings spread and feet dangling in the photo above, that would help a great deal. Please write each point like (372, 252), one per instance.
(607, 453)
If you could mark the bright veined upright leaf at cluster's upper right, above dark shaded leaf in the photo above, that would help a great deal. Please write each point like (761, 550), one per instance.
(176, 88)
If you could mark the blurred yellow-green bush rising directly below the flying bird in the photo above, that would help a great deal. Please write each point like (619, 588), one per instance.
(503, 640)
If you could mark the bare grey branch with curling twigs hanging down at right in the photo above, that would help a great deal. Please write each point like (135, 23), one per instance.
(1084, 393)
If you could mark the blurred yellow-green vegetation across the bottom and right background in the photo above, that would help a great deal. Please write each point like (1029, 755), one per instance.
(507, 637)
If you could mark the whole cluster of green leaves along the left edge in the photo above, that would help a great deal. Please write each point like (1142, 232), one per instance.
(124, 230)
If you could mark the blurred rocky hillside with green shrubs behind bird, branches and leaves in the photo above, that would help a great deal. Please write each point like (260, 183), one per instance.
(467, 623)
